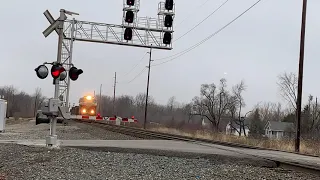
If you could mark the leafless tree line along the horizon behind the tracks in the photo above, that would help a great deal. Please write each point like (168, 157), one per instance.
(216, 104)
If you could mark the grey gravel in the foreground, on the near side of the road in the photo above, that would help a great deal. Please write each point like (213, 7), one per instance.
(23, 162)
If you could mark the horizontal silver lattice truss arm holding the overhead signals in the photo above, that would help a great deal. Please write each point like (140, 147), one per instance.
(111, 34)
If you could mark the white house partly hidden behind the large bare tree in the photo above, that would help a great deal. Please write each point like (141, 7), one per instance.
(233, 128)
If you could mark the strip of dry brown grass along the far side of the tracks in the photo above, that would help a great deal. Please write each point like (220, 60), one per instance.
(307, 146)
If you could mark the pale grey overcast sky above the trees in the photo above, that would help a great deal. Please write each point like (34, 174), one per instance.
(256, 48)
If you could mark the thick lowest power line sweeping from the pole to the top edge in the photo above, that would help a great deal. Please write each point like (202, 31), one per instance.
(207, 38)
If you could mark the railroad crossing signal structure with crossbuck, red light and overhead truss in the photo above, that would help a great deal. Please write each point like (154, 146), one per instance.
(143, 29)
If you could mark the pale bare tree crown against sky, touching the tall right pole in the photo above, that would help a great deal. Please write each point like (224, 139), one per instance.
(288, 84)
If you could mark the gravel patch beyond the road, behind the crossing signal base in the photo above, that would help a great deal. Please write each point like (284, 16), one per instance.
(28, 130)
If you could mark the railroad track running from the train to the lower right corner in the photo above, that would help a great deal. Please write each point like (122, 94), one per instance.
(147, 134)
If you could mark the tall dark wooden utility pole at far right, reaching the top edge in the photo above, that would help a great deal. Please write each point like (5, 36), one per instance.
(300, 78)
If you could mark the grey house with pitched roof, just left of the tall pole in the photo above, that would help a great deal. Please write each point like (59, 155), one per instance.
(278, 130)
